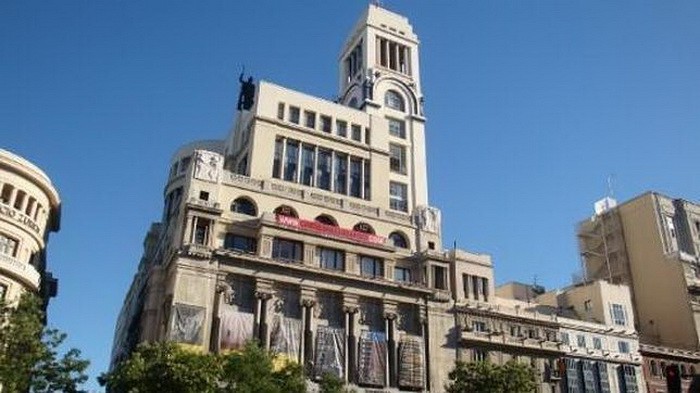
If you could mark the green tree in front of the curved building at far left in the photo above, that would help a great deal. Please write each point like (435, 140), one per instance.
(29, 352)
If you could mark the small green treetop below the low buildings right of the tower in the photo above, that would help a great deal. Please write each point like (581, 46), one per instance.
(486, 377)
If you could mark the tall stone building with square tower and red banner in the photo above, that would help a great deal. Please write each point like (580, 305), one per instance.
(309, 229)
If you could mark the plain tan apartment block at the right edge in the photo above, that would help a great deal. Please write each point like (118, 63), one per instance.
(652, 244)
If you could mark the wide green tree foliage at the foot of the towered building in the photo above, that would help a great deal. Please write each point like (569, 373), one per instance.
(168, 367)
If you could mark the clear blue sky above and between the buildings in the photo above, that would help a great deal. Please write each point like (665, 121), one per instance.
(530, 106)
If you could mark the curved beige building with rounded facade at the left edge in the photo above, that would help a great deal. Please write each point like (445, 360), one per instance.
(30, 209)
